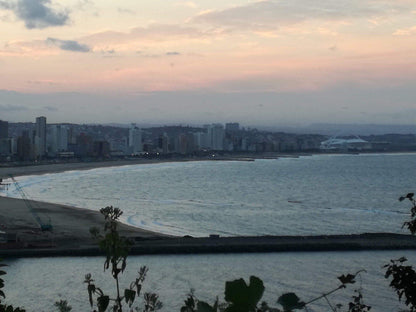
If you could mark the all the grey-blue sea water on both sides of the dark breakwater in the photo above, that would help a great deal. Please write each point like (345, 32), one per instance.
(321, 194)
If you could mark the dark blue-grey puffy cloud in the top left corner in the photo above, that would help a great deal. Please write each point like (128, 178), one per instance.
(36, 13)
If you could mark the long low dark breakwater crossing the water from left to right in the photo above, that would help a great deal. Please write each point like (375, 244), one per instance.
(244, 244)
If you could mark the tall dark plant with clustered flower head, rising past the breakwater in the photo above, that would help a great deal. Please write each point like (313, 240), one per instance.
(116, 249)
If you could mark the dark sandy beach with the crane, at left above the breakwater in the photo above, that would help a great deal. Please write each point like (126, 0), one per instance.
(70, 225)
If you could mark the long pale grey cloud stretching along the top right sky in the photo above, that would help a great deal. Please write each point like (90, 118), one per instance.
(275, 13)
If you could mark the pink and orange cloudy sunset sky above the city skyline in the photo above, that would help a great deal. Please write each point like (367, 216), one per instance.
(266, 62)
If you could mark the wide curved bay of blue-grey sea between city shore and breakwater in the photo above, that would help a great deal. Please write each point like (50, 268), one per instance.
(323, 194)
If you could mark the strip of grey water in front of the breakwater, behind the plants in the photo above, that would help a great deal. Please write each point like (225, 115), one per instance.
(37, 283)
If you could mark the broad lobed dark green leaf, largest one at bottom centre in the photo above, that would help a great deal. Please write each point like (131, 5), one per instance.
(243, 296)
